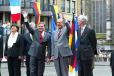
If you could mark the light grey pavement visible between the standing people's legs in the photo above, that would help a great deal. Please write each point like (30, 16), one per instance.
(101, 69)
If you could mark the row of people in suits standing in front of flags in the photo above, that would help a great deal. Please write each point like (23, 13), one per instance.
(33, 45)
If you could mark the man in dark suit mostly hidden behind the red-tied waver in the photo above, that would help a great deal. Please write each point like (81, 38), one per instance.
(27, 38)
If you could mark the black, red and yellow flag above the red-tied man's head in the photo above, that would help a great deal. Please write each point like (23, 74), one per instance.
(37, 12)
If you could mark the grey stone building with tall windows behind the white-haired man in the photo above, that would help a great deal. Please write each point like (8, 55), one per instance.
(100, 17)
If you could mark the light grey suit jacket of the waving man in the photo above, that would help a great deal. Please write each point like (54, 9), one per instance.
(61, 44)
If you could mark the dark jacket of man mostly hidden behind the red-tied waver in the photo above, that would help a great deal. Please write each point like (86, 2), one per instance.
(27, 43)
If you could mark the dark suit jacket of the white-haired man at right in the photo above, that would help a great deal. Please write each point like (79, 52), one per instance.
(87, 44)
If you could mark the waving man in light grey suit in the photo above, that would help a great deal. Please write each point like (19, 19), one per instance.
(61, 51)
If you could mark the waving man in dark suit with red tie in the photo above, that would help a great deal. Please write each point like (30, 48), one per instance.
(41, 40)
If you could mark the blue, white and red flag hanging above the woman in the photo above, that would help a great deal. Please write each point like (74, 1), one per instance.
(15, 7)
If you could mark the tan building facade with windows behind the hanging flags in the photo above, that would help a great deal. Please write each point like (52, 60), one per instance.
(65, 6)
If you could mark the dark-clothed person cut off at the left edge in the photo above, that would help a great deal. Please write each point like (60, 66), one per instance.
(1, 46)
